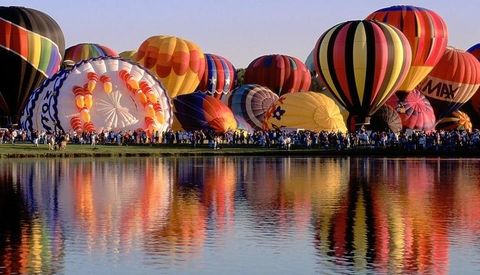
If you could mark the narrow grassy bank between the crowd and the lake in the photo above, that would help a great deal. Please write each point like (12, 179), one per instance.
(73, 150)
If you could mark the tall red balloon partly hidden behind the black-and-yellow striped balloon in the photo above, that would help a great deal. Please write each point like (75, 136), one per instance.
(426, 33)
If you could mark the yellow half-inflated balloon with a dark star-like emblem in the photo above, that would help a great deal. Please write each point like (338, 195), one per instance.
(306, 110)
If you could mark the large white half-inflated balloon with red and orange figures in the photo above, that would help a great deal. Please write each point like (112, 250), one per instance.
(104, 93)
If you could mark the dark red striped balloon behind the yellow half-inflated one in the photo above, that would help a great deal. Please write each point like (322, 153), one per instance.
(280, 73)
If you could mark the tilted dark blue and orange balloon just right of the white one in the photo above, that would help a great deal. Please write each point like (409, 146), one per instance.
(198, 111)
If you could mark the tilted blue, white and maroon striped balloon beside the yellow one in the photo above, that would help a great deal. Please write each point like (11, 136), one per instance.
(251, 102)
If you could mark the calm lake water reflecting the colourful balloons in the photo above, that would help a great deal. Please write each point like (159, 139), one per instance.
(240, 215)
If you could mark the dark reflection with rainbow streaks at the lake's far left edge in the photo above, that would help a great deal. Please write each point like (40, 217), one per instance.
(29, 243)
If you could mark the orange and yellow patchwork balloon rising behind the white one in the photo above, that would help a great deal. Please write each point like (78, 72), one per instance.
(178, 63)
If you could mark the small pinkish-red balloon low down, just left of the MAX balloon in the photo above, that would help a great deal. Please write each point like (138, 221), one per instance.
(415, 111)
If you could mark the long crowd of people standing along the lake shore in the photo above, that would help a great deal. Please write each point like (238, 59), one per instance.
(406, 140)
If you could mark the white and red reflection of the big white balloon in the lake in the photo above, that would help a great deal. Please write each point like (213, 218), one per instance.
(112, 215)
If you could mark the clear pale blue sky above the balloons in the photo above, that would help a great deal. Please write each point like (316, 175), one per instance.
(238, 30)
